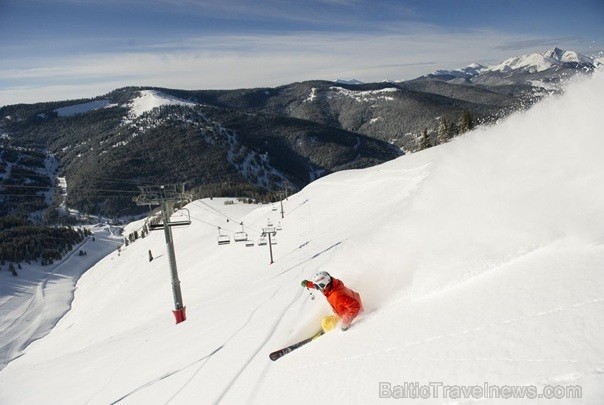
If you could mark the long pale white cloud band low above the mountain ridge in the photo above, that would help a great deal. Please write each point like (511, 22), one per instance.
(244, 61)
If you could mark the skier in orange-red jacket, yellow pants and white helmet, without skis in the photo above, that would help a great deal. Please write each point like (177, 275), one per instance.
(345, 303)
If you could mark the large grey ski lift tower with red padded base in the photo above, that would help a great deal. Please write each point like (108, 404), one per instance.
(167, 195)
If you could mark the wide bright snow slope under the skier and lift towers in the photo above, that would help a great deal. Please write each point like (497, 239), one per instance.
(480, 261)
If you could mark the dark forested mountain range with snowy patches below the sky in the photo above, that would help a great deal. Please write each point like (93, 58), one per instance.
(246, 141)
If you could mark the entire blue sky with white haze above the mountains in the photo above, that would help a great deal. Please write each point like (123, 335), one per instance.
(66, 49)
